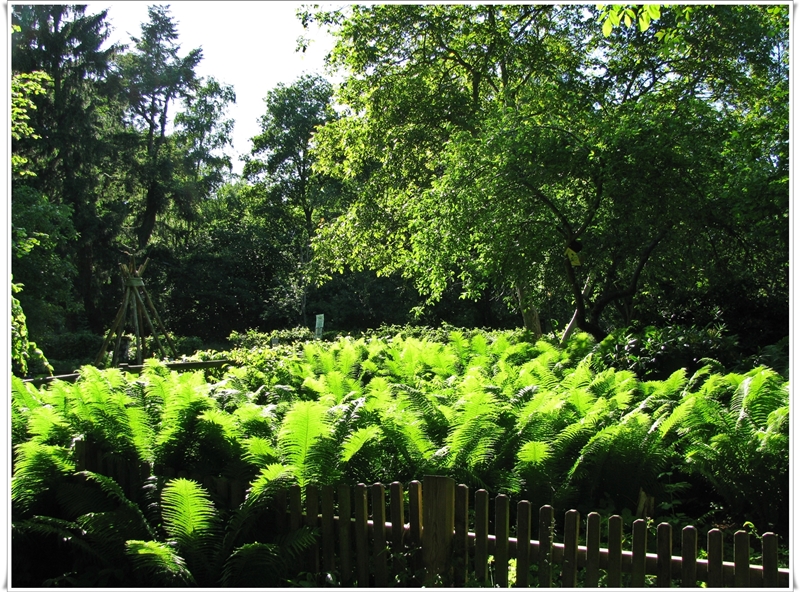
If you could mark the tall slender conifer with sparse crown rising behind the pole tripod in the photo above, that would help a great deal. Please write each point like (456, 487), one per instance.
(155, 77)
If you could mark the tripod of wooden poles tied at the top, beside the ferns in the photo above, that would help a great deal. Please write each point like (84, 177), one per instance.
(133, 300)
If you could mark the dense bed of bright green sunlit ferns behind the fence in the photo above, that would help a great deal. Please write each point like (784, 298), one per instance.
(493, 410)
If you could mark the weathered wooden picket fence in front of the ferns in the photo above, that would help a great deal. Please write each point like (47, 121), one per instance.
(434, 537)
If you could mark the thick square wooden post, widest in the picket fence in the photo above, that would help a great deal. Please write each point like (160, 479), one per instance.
(438, 521)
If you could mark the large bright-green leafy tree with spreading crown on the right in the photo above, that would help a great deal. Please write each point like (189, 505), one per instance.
(465, 171)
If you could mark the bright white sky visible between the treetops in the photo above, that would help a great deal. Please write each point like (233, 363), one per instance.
(248, 45)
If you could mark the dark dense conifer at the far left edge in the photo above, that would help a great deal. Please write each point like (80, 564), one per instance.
(74, 120)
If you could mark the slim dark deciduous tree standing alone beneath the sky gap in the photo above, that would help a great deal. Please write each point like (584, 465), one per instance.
(281, 164)
